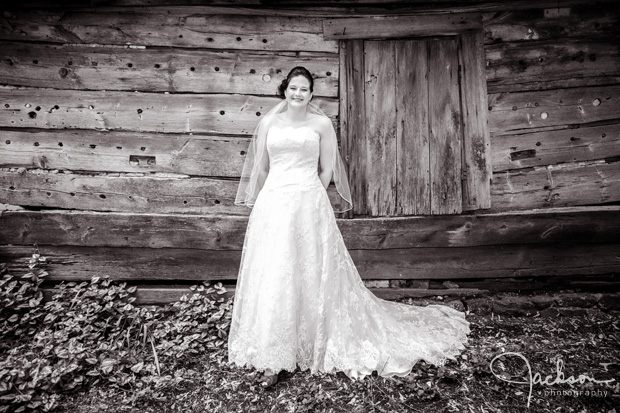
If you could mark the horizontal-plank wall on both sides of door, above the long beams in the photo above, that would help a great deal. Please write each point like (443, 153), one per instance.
(153, 91)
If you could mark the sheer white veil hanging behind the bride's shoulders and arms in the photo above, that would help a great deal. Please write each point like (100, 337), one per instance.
(248, 185)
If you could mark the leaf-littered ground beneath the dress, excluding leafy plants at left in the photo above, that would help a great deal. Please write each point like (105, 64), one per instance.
(585, 345)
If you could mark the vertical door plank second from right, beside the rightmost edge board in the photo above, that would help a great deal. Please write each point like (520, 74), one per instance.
(445, 127)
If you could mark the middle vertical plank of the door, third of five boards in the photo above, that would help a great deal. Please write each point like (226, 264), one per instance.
(412, 143)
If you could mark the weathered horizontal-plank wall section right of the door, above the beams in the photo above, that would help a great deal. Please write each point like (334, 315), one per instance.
(553, 77)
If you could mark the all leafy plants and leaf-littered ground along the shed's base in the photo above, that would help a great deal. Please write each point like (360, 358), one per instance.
(89, 349)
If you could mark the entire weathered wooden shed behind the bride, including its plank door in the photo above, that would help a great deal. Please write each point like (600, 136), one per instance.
(482, 138)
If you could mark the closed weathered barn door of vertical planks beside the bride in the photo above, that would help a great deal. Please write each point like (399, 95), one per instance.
(403, 123)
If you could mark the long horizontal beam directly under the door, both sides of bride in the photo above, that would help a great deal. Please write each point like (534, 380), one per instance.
(130, 230)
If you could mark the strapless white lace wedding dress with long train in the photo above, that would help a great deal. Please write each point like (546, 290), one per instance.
(300, 300)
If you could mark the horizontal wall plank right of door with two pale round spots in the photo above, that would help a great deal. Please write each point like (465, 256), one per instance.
(513, 111)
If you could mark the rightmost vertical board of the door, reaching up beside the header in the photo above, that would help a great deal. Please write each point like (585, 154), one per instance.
(476, 141)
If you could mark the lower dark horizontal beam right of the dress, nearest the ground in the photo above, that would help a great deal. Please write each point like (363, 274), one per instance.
(489, 261)
